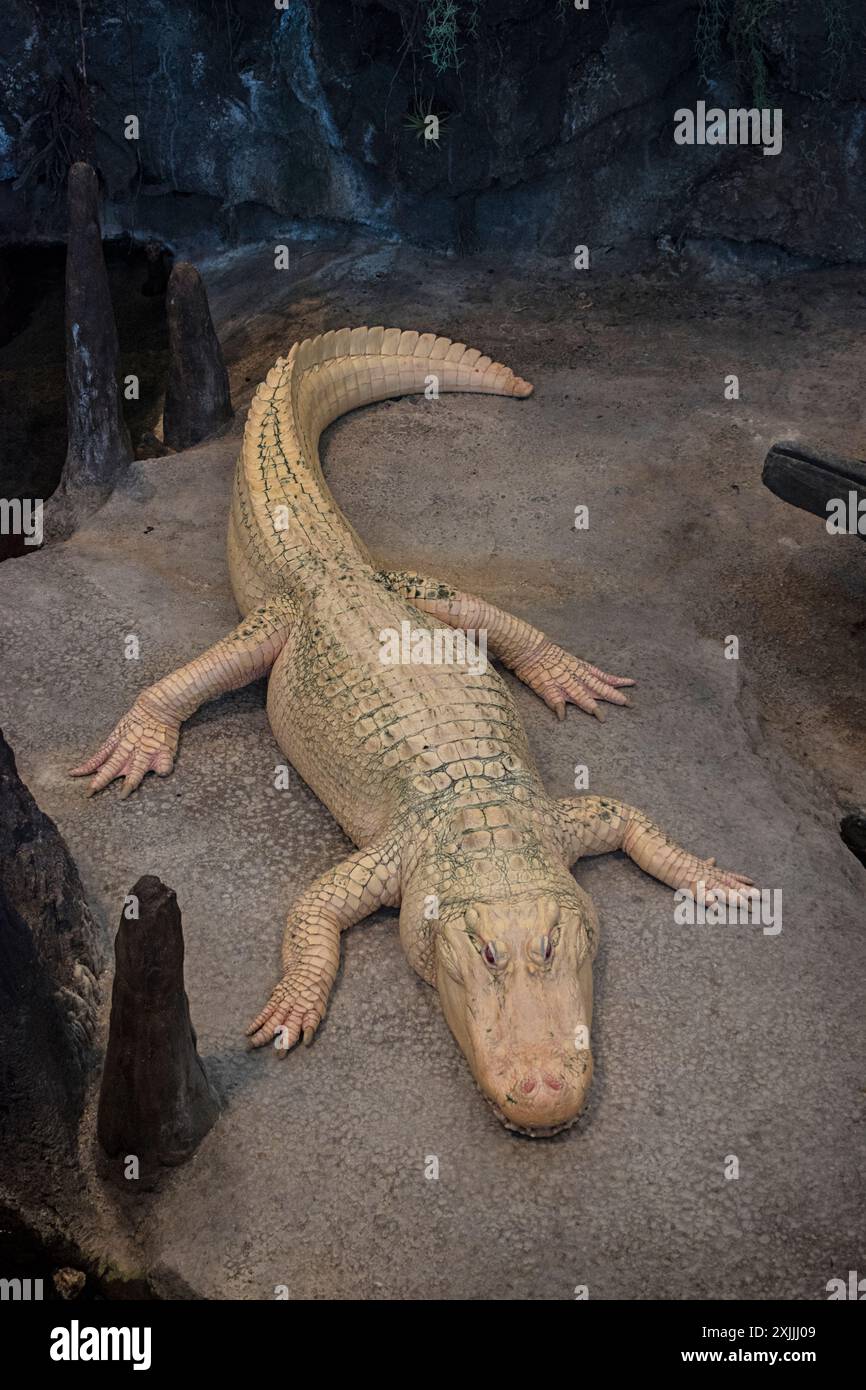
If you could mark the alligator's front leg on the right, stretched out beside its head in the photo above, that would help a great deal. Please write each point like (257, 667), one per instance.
(600, 825)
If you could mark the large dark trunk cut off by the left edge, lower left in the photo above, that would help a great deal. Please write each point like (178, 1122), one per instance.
(51, 954)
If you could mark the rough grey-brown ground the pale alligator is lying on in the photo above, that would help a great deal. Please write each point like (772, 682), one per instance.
(710, 1042)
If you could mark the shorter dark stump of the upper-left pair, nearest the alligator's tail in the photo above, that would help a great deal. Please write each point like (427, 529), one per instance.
(198, 400)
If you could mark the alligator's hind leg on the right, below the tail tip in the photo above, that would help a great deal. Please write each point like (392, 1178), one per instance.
(548, 669)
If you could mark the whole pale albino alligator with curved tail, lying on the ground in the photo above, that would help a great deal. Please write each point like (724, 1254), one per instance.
(425, 767)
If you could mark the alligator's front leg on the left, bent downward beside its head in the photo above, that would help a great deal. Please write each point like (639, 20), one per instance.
(311, 951)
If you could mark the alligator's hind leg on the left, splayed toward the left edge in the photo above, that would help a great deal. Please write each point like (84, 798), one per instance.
(147, 737)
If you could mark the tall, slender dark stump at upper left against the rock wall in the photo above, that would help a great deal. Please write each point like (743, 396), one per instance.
(99, 451)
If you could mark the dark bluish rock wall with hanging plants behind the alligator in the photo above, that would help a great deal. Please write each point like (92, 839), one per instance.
(258, 120)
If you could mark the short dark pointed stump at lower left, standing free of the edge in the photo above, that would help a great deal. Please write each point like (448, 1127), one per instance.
(156, 1102)
